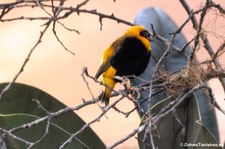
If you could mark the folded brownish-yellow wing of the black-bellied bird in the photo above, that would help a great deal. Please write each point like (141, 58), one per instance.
(107, 55)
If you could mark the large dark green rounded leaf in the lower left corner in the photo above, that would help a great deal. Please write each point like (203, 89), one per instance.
(17, 108)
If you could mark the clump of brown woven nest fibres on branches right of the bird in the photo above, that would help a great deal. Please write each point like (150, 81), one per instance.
(185, 79)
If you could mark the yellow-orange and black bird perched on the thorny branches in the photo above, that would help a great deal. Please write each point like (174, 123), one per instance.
(127, 55)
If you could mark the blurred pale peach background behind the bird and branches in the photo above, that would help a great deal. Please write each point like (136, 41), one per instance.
(58, 72)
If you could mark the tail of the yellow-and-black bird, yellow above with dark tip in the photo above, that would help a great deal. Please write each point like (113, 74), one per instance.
(110, 83)
